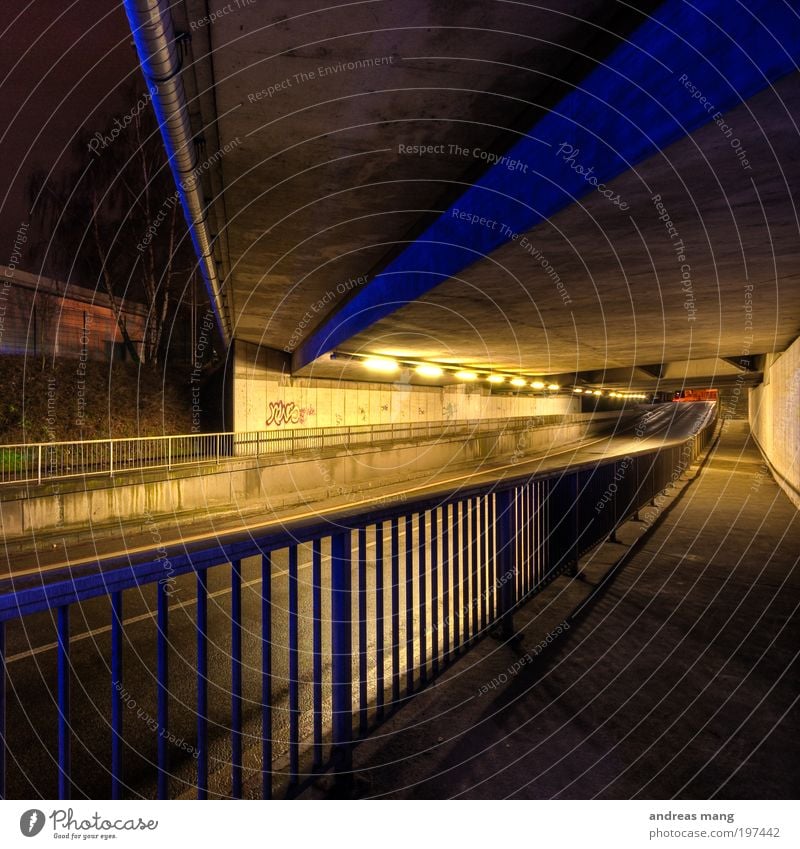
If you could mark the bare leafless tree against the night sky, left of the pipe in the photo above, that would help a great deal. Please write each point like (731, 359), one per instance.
(111, 217)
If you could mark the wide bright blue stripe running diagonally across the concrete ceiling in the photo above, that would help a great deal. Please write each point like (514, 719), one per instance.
(625, 111)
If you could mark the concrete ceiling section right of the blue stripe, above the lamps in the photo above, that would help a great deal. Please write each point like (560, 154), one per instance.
(620, 271)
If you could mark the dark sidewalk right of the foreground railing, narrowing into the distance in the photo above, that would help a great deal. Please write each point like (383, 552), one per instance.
(679, 680)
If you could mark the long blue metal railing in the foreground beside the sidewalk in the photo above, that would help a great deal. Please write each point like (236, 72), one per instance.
(465, 562)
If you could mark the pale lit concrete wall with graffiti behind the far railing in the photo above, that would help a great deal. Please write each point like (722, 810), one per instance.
(266, 398)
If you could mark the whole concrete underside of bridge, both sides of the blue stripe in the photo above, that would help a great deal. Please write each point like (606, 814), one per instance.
(315, 191)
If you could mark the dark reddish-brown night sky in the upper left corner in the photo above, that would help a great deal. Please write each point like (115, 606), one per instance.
(62, 65)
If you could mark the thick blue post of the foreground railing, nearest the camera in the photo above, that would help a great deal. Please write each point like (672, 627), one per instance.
(341, 649)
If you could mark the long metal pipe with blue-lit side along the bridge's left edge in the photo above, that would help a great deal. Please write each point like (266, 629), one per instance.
(154, 36)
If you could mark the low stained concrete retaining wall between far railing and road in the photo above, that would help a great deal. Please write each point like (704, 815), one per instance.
(82, 509)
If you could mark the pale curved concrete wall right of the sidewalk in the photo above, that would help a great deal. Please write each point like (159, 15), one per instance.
(775, 418)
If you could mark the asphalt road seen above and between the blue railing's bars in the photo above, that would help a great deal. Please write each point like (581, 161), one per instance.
(31, 656)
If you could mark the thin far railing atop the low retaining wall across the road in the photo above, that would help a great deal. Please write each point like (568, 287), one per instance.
(46, 461)
